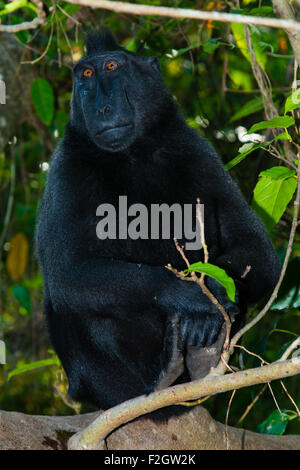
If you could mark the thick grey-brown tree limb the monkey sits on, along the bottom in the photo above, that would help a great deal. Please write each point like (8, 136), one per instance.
(195, 430)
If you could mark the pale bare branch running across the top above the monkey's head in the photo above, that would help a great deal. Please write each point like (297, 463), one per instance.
(136, 9)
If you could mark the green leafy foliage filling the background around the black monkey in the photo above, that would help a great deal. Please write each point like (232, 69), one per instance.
(207, 66)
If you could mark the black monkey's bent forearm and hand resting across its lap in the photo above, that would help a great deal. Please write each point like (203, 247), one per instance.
(81, 283)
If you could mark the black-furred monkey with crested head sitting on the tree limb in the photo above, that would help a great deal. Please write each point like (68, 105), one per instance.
(109, 303)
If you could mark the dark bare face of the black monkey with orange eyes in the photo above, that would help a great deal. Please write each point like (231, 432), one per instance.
(118, 95)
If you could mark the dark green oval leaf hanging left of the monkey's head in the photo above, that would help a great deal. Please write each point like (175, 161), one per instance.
(43, 99)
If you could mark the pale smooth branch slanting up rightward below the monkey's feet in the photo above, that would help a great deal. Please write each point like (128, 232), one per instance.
(94, 435)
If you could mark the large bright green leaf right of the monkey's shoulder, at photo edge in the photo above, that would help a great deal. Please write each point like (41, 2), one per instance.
(273, 192)
